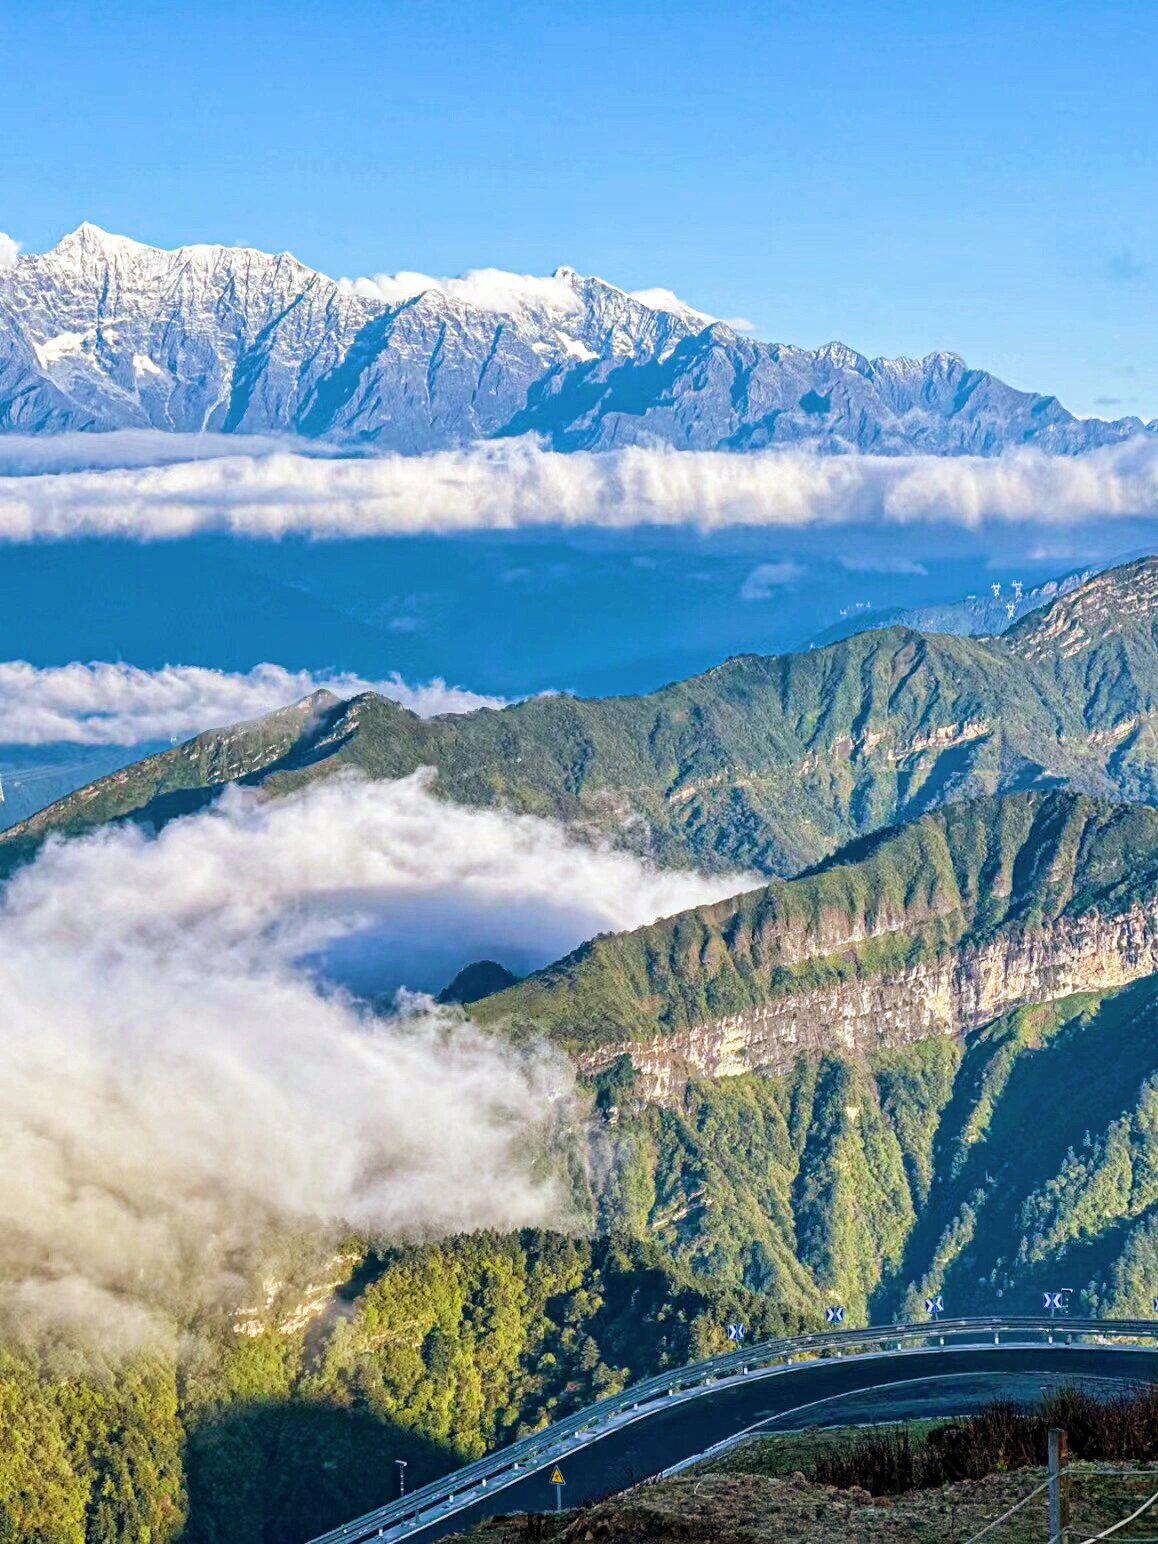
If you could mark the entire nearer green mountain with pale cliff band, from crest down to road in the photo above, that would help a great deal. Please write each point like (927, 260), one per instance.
(927, 1068)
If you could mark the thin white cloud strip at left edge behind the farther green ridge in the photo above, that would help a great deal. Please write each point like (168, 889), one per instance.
(118, 705)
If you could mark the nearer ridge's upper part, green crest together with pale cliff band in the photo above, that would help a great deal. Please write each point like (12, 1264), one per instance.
(919, 930)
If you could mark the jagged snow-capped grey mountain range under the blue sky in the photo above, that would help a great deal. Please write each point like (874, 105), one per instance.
(104, 333)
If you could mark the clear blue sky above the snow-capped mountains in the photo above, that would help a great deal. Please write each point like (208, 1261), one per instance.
(901, 177)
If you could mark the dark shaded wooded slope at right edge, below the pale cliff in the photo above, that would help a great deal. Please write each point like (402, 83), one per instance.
(1046, 1163)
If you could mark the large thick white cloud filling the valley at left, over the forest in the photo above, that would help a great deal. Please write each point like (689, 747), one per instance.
(177, 1085)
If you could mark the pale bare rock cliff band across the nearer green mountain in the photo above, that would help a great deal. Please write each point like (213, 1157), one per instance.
(949, 995)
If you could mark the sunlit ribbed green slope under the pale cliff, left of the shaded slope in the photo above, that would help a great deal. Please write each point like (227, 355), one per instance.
(802, 1188)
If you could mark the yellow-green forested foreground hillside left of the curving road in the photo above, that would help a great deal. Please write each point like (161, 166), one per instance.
(441, 1353)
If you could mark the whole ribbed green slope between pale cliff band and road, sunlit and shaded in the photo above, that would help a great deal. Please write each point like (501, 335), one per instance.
(989, 1170)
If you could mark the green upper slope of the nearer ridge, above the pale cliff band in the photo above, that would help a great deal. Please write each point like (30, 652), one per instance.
(904, 899)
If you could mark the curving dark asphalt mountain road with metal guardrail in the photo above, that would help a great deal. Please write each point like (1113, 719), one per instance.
(626, 1440)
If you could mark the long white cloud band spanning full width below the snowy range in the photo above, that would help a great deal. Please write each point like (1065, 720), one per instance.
(510, 486)
